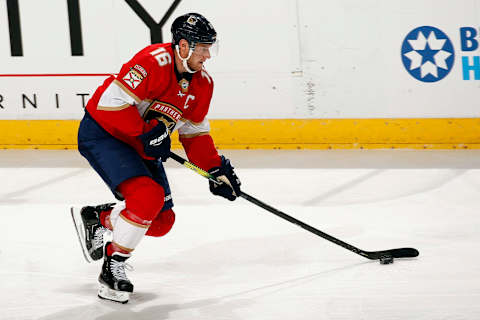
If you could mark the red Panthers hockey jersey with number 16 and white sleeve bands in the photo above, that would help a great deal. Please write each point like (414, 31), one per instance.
(147, 88)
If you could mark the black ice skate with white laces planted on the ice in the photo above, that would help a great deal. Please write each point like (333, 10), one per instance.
(113, 282)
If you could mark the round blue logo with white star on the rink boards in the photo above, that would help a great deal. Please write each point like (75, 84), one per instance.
(428, 54)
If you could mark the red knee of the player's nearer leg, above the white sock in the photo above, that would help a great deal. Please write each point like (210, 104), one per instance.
(144, 197)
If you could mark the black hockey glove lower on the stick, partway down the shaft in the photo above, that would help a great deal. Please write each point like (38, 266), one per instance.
(229, 186)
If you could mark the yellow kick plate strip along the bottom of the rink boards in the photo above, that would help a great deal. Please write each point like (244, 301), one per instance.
(462, 133)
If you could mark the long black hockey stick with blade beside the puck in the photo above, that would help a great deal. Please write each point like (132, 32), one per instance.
(372, 255)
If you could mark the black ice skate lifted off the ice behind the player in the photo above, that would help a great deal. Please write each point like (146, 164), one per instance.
(89, 230)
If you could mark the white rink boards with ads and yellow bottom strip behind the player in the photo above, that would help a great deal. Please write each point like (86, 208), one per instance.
(309, 74)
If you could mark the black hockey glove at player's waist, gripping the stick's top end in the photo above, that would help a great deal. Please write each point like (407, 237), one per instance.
(156, 142)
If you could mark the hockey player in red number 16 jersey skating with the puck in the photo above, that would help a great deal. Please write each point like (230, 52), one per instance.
(125, 136)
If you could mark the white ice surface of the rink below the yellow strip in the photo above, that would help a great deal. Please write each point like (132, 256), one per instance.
(234, 260)
